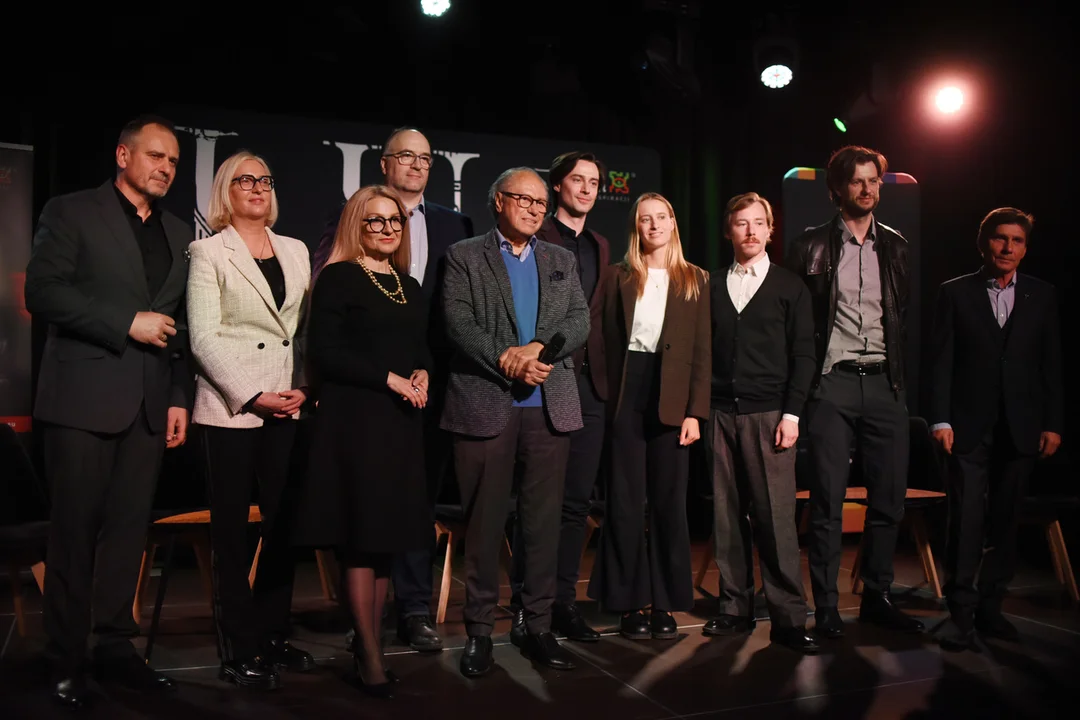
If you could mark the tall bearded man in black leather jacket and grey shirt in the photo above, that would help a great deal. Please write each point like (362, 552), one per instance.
(857, 271)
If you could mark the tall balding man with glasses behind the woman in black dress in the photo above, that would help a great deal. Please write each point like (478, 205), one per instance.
(407, 166)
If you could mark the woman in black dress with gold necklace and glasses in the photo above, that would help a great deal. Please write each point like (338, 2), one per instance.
(367, 494)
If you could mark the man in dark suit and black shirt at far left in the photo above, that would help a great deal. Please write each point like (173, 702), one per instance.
(109, 274)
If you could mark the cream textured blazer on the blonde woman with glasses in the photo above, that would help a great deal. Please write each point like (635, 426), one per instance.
(241, 343)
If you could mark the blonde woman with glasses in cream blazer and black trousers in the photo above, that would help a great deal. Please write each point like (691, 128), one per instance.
(247, 297)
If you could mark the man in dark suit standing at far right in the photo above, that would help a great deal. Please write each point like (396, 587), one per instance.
(996, 407)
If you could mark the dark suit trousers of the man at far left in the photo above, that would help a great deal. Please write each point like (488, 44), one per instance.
(102, 492)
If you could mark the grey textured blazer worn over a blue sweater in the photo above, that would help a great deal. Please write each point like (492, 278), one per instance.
(481, 325)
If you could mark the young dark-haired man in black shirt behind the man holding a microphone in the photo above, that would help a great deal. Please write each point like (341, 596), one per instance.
(575, 181)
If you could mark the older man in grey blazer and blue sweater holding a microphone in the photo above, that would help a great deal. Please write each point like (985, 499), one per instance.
(506, 296)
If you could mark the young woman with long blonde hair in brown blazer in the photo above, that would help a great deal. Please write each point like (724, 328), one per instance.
(659, 362)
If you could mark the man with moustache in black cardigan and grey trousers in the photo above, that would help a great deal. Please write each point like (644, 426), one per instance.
(763, 365)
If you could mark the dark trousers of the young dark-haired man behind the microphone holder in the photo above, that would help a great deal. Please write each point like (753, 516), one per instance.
(587, 446)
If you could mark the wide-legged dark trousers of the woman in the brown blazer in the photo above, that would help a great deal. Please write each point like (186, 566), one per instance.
(650, 469)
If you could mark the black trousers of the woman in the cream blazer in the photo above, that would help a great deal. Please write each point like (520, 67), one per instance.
(233, 461)
